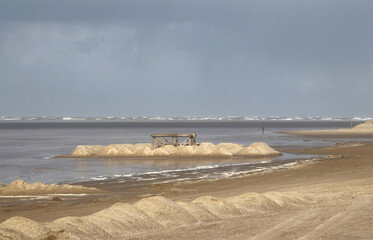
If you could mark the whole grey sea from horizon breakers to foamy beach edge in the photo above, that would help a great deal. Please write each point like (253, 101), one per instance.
(28, 145)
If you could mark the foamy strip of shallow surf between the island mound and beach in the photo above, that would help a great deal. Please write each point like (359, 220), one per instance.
(227, 168)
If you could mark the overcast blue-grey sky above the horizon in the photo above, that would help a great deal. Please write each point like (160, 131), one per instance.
(186, 58)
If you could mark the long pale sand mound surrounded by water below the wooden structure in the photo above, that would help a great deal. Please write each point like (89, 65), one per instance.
(202, 150)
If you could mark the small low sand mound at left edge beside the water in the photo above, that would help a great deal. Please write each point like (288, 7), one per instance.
(19, 187)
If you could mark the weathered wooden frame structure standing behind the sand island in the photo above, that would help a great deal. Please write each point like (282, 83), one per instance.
(162, 139)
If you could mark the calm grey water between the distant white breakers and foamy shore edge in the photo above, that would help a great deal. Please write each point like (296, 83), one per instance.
(26, 147)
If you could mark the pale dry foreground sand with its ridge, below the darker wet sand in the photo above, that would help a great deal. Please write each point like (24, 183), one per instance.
(302, 214)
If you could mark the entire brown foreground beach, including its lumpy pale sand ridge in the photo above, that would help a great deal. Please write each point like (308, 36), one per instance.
(331, 199)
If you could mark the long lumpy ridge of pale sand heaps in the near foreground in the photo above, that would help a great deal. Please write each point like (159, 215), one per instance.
(121, 221)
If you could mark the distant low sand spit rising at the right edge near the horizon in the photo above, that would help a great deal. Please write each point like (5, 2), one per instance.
(361, 130)
